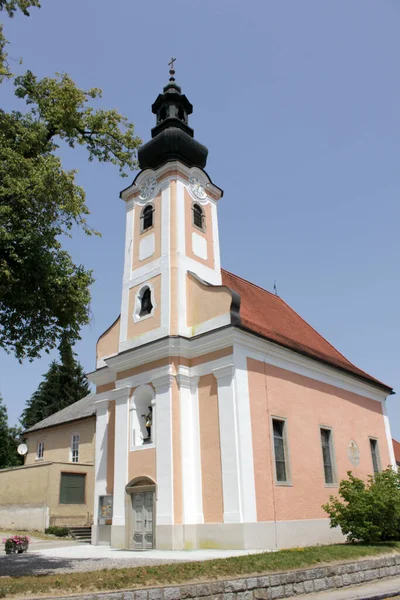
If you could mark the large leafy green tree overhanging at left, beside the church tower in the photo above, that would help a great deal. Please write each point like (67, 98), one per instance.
(43, 293)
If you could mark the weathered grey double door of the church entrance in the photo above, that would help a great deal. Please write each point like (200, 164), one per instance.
(143, 509)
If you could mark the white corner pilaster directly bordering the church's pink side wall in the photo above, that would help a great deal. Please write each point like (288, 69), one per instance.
(245, 437)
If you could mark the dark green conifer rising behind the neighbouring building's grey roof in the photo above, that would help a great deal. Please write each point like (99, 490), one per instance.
(62, 385)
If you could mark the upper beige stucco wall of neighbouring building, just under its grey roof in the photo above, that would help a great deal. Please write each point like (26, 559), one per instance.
(57, 442)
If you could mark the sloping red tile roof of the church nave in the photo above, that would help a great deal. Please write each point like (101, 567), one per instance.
(269, 316)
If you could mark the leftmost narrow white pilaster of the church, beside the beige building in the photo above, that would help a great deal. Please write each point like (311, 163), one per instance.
(100, 485)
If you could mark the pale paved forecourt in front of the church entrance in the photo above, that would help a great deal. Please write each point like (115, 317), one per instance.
(64, 557)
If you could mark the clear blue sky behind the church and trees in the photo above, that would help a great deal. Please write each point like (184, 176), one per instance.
(298, 103)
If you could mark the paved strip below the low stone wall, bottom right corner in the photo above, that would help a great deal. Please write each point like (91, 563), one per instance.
(377, 590)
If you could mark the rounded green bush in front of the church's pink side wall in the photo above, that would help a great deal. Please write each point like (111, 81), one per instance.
(367, 511)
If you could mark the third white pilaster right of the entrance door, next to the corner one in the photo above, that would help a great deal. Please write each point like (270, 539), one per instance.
(228, 440)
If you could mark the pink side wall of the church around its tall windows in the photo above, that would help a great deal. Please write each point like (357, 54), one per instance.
(307, 405)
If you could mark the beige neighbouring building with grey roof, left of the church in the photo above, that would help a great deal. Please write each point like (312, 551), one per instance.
(56, 484)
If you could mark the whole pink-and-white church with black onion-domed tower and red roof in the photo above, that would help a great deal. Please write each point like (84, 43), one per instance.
(223, 420)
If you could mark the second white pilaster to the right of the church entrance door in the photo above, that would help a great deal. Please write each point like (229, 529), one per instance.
(190, 450)
